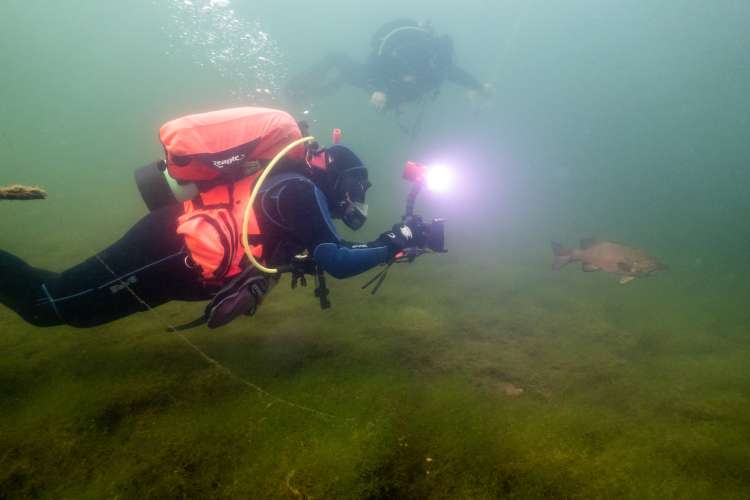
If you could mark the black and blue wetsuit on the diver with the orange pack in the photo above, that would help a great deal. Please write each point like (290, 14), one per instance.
(150, 264)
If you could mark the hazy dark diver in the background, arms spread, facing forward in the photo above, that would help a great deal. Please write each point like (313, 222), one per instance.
(408, 62)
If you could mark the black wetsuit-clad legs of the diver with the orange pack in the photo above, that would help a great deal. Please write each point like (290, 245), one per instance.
(145, 268)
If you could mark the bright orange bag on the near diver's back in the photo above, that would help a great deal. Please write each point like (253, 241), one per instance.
(223, 152)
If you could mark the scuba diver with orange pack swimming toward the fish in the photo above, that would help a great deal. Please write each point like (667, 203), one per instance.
(237, 217)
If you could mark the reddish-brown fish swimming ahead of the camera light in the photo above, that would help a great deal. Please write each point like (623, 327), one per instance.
(628, 262)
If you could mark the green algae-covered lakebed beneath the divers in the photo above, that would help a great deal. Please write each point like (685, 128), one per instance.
(521, 383)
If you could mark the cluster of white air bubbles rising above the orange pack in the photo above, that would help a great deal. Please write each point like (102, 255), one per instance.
(236, 49)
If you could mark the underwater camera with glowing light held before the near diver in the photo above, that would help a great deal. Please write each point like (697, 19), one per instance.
(435, 178)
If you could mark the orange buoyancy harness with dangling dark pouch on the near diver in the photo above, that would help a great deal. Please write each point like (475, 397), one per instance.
(224, 153)
